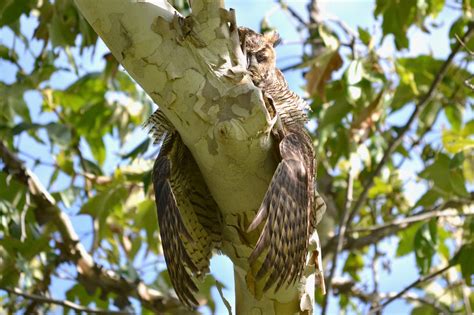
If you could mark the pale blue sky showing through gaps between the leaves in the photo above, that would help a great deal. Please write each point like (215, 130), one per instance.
(249, 13)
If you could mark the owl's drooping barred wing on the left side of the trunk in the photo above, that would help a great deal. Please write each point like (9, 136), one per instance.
(189, 219)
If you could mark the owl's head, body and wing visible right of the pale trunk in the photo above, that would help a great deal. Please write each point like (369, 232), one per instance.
(291, 207)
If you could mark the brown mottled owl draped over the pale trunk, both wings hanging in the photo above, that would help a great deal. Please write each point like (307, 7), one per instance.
(189, 218)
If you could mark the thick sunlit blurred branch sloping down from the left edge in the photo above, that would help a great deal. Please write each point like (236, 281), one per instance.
(89, 272)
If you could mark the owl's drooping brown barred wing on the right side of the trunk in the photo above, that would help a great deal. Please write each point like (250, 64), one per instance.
(287, 209)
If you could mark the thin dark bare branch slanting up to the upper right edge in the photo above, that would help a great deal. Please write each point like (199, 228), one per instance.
(398, 139)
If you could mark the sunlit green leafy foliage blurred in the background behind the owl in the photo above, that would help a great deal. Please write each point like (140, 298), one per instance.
(77, 139)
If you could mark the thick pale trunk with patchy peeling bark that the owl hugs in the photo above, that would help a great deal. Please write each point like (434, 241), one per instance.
(193, 69)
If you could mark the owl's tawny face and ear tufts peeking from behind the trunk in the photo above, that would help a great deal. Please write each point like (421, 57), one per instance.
(259, 49)
